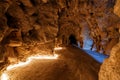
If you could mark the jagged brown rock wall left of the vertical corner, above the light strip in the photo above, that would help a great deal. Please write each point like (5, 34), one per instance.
(27, 27)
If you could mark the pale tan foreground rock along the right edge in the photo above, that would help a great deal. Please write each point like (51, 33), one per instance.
(110, 69)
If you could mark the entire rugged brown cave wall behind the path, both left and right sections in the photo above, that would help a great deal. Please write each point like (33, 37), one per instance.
(33, 26)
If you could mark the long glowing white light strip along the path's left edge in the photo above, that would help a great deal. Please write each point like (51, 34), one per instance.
(4, 75)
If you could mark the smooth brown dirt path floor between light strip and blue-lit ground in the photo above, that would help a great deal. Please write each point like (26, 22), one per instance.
(72, 64)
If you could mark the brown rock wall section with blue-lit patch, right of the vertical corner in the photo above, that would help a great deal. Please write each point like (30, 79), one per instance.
(101, 32)
